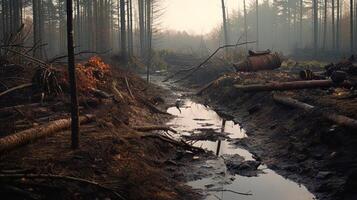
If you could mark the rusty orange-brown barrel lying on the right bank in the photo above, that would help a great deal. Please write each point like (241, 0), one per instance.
(259, 62)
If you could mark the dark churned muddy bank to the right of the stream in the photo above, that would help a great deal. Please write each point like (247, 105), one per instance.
(301, 146)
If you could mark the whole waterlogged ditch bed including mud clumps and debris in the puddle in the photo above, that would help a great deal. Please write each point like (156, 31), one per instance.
(234, 169)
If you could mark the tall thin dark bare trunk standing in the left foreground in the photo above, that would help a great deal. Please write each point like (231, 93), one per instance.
(72, 77)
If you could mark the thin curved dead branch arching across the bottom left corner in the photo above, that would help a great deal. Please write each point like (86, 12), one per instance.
(6, 177)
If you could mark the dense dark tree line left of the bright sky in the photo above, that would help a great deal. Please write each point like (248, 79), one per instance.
(115, 26)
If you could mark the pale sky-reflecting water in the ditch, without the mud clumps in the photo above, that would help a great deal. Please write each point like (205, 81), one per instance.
(268, 185)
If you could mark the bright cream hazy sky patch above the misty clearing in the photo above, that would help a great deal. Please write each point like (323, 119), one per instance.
(195, 16)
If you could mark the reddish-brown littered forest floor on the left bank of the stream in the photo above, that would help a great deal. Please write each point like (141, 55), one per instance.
(118, 160)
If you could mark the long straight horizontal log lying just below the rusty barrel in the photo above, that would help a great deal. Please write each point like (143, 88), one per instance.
(293, 85)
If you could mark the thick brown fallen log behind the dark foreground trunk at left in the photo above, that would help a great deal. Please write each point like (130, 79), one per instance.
(21, 138)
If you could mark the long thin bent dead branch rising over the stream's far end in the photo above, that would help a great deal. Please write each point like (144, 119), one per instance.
(196, 68)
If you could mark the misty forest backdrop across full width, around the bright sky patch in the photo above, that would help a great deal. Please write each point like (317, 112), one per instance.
(132, 27)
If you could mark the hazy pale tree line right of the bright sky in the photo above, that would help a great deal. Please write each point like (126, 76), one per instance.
(319, 25)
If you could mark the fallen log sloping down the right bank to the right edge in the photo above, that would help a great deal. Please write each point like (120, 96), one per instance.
(335, 118)
